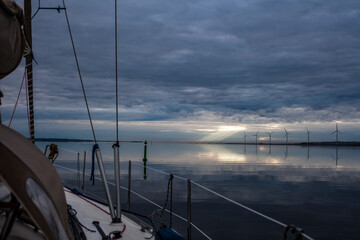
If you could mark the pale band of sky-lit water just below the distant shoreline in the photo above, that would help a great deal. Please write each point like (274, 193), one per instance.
(302, 156)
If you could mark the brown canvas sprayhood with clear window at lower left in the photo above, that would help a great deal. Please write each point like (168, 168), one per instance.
(34, 182)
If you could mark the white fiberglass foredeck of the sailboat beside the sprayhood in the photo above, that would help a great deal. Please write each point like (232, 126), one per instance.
(89, 211)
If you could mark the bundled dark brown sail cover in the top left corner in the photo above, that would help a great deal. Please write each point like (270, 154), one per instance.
(12, 41)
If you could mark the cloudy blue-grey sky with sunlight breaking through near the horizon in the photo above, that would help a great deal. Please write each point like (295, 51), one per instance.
(196, 70)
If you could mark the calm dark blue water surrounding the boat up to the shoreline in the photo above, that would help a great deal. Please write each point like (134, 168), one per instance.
(316, 188)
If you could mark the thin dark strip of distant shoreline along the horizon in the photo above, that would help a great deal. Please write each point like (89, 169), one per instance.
(328, 144)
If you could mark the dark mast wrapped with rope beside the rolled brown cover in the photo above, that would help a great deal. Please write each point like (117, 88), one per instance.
(28, 62)
